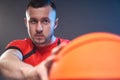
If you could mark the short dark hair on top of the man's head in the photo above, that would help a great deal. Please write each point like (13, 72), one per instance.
(41, 3)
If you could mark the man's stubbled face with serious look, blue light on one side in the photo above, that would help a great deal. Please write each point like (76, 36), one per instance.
(41, 23)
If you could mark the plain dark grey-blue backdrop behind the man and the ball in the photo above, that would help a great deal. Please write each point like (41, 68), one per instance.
(76, 17)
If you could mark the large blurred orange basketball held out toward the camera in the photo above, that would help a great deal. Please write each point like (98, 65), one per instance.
(90, 56)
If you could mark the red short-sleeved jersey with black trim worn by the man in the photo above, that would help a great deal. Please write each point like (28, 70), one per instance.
(32, 54)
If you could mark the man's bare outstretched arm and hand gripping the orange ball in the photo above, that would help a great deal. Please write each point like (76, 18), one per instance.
(13, 68)
